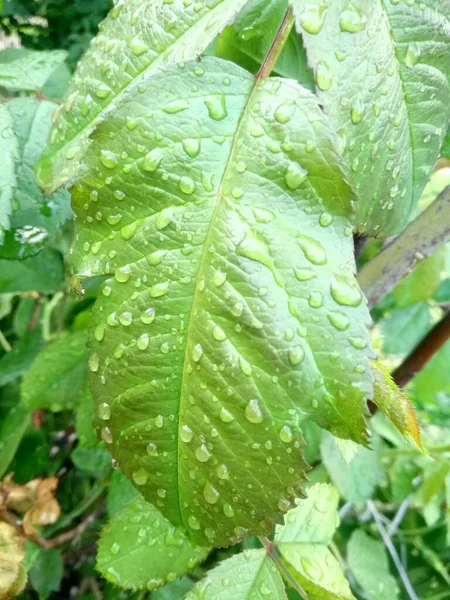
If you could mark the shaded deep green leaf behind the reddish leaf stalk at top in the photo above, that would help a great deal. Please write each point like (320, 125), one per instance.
(248, 40)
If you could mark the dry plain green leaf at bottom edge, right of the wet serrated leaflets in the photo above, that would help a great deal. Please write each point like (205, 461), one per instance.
(369, 564)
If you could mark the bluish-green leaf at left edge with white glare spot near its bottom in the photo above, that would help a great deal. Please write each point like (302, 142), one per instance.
(35, 219)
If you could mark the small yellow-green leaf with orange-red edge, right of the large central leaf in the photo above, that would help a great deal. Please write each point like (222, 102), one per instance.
(394, 403)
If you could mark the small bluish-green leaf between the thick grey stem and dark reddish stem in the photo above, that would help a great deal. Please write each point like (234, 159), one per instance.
(403, 328)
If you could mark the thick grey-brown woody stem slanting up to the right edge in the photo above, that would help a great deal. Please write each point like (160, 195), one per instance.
(417, 241)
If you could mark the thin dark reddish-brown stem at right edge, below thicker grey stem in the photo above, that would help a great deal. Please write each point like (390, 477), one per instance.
(422, 353)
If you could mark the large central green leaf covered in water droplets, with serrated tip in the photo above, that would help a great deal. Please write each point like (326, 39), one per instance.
(233, 313)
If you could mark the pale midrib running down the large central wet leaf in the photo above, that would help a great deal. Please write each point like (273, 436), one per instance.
(196, 292)
